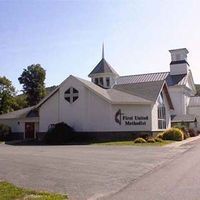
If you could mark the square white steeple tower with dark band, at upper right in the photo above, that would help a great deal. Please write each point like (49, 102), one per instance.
(179, 64)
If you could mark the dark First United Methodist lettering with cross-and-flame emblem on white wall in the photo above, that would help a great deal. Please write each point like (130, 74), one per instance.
(130, 120)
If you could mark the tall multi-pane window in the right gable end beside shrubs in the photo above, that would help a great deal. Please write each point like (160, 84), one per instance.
(161, 113)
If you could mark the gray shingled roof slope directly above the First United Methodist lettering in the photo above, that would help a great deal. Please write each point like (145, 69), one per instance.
(147, 90)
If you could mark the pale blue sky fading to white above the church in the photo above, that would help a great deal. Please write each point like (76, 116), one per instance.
(66, 37)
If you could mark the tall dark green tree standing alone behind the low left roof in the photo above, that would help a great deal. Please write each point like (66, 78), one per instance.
(32, 79)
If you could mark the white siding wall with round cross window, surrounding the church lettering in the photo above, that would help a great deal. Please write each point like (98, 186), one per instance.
(89, 112)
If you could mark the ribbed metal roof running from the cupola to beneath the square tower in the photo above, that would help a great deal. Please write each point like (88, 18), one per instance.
(159, 76)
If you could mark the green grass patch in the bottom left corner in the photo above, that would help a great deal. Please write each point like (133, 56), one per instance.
(9, 191)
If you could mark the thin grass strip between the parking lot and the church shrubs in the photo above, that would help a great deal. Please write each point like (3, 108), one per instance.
(131, 143)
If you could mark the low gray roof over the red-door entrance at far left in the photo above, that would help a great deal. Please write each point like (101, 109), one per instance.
(22, 113)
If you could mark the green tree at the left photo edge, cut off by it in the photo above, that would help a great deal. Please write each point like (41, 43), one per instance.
(7, 93)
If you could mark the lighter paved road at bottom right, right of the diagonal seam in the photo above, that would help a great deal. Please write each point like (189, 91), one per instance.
(178, 179)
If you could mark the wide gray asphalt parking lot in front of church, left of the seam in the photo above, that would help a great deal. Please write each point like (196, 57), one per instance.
(84, 172)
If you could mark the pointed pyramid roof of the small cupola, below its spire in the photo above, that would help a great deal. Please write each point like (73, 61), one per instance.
(103, 67)
